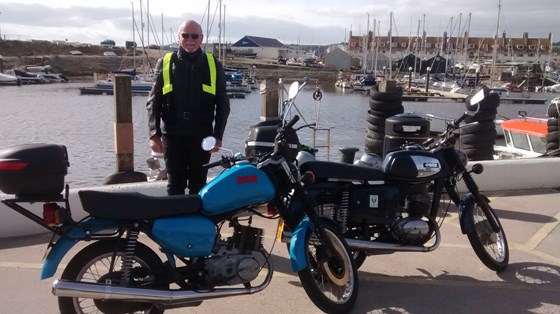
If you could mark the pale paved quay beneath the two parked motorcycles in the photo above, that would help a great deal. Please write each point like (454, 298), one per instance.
(448, 280)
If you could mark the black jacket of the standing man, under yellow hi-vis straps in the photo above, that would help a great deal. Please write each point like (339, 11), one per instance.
(188, 110)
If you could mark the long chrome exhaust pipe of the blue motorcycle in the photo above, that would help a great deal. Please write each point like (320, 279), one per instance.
(73, 289)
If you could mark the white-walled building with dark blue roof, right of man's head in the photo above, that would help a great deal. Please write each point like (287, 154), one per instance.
(259, 47)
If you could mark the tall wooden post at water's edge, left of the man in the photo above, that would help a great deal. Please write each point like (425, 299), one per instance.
(123, 133)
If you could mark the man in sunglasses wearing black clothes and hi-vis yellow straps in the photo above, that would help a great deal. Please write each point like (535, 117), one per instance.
(188, 102)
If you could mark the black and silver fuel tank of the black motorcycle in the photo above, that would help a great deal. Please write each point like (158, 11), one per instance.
(411, 165)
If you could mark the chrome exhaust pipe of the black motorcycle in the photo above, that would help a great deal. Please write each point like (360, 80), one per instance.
(371, 246)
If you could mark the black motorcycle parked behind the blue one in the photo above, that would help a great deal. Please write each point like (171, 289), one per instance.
(399, 203)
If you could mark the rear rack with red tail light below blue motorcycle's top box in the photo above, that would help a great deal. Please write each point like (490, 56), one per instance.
(54, 217)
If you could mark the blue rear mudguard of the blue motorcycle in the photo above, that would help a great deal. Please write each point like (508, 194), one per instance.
(77, 233)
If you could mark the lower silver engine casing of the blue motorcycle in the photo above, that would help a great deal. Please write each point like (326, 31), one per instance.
(231, 269)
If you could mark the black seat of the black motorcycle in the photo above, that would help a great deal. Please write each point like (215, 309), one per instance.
(335, 170)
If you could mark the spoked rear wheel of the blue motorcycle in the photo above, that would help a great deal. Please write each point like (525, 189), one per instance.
(92, 265)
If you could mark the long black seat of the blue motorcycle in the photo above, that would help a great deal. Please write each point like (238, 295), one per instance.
(137, 206)
